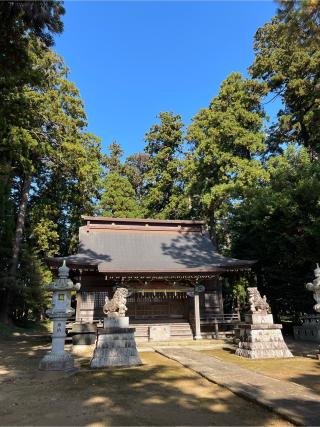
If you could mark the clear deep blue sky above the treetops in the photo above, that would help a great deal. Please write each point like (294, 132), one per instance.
(131, 60)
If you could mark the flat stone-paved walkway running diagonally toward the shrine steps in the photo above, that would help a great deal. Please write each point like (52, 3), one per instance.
(298, 404)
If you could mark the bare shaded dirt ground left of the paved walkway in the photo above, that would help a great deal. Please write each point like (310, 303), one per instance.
(161, 392)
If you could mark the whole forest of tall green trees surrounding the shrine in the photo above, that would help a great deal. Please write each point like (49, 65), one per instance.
(256, 183)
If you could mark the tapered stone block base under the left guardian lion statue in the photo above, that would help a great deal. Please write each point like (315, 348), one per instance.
(115, 347)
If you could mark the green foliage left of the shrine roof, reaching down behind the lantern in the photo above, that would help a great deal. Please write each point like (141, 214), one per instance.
(47, 145)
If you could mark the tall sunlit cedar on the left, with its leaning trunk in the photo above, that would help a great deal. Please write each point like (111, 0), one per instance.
(54, 166)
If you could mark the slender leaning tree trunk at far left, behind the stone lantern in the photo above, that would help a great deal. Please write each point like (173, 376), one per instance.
(5, 317)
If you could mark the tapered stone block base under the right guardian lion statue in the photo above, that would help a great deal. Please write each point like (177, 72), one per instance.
(262, 343)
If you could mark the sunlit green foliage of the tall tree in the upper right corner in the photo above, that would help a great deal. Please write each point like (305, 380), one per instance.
(287, 59)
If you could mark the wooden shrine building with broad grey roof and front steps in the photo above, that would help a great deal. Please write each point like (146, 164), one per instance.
(171, 268)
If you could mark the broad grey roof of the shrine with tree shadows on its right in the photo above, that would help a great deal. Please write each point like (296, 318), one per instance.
(133, 251)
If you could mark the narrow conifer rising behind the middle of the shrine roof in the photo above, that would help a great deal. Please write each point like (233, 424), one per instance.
(165, 193)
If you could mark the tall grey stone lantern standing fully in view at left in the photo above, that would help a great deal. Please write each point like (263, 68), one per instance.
(57, 359)
